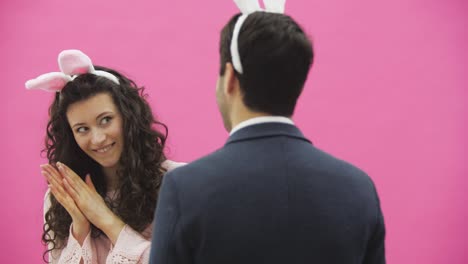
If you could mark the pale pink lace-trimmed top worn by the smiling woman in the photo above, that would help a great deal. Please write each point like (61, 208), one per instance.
(130, 247)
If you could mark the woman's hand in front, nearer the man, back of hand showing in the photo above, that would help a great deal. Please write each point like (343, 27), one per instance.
(91, 203)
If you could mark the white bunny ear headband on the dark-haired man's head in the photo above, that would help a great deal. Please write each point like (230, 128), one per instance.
(247, 7)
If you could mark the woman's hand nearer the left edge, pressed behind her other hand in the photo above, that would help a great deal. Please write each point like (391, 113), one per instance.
(80, 225)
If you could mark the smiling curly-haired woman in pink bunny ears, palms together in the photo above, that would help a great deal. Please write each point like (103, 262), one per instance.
(106, 163)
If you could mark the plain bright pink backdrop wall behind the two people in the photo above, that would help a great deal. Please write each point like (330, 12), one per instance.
(388, 93)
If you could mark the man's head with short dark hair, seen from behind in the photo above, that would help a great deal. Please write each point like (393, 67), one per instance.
(276, 56)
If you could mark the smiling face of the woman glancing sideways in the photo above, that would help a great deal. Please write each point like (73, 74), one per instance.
(97, 127)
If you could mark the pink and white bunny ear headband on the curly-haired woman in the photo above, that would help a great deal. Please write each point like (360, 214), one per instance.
(72, 63)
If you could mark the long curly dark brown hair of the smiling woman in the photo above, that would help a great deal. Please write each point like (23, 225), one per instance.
(141, 170)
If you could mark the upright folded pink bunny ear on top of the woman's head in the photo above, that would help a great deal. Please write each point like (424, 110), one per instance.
(75, 62)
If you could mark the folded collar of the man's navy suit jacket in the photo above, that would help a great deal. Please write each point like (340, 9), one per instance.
(266, 130)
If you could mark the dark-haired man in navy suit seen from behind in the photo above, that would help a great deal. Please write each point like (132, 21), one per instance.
(268, 195)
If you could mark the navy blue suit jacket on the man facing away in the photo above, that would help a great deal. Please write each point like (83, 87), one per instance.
(268, 196)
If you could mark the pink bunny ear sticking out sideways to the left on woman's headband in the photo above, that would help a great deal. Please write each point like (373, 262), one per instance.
(51, 82)
